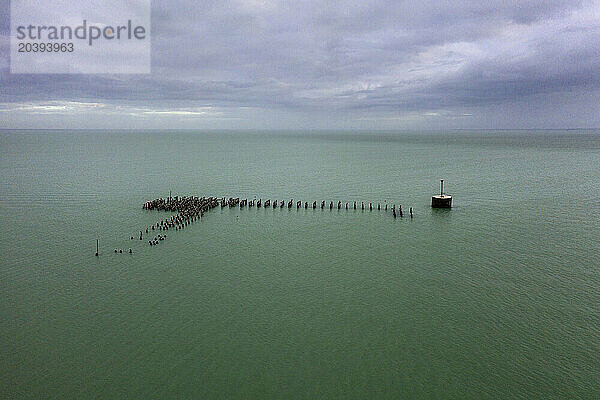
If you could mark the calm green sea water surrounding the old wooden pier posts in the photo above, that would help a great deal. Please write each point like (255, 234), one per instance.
(498, 298)
